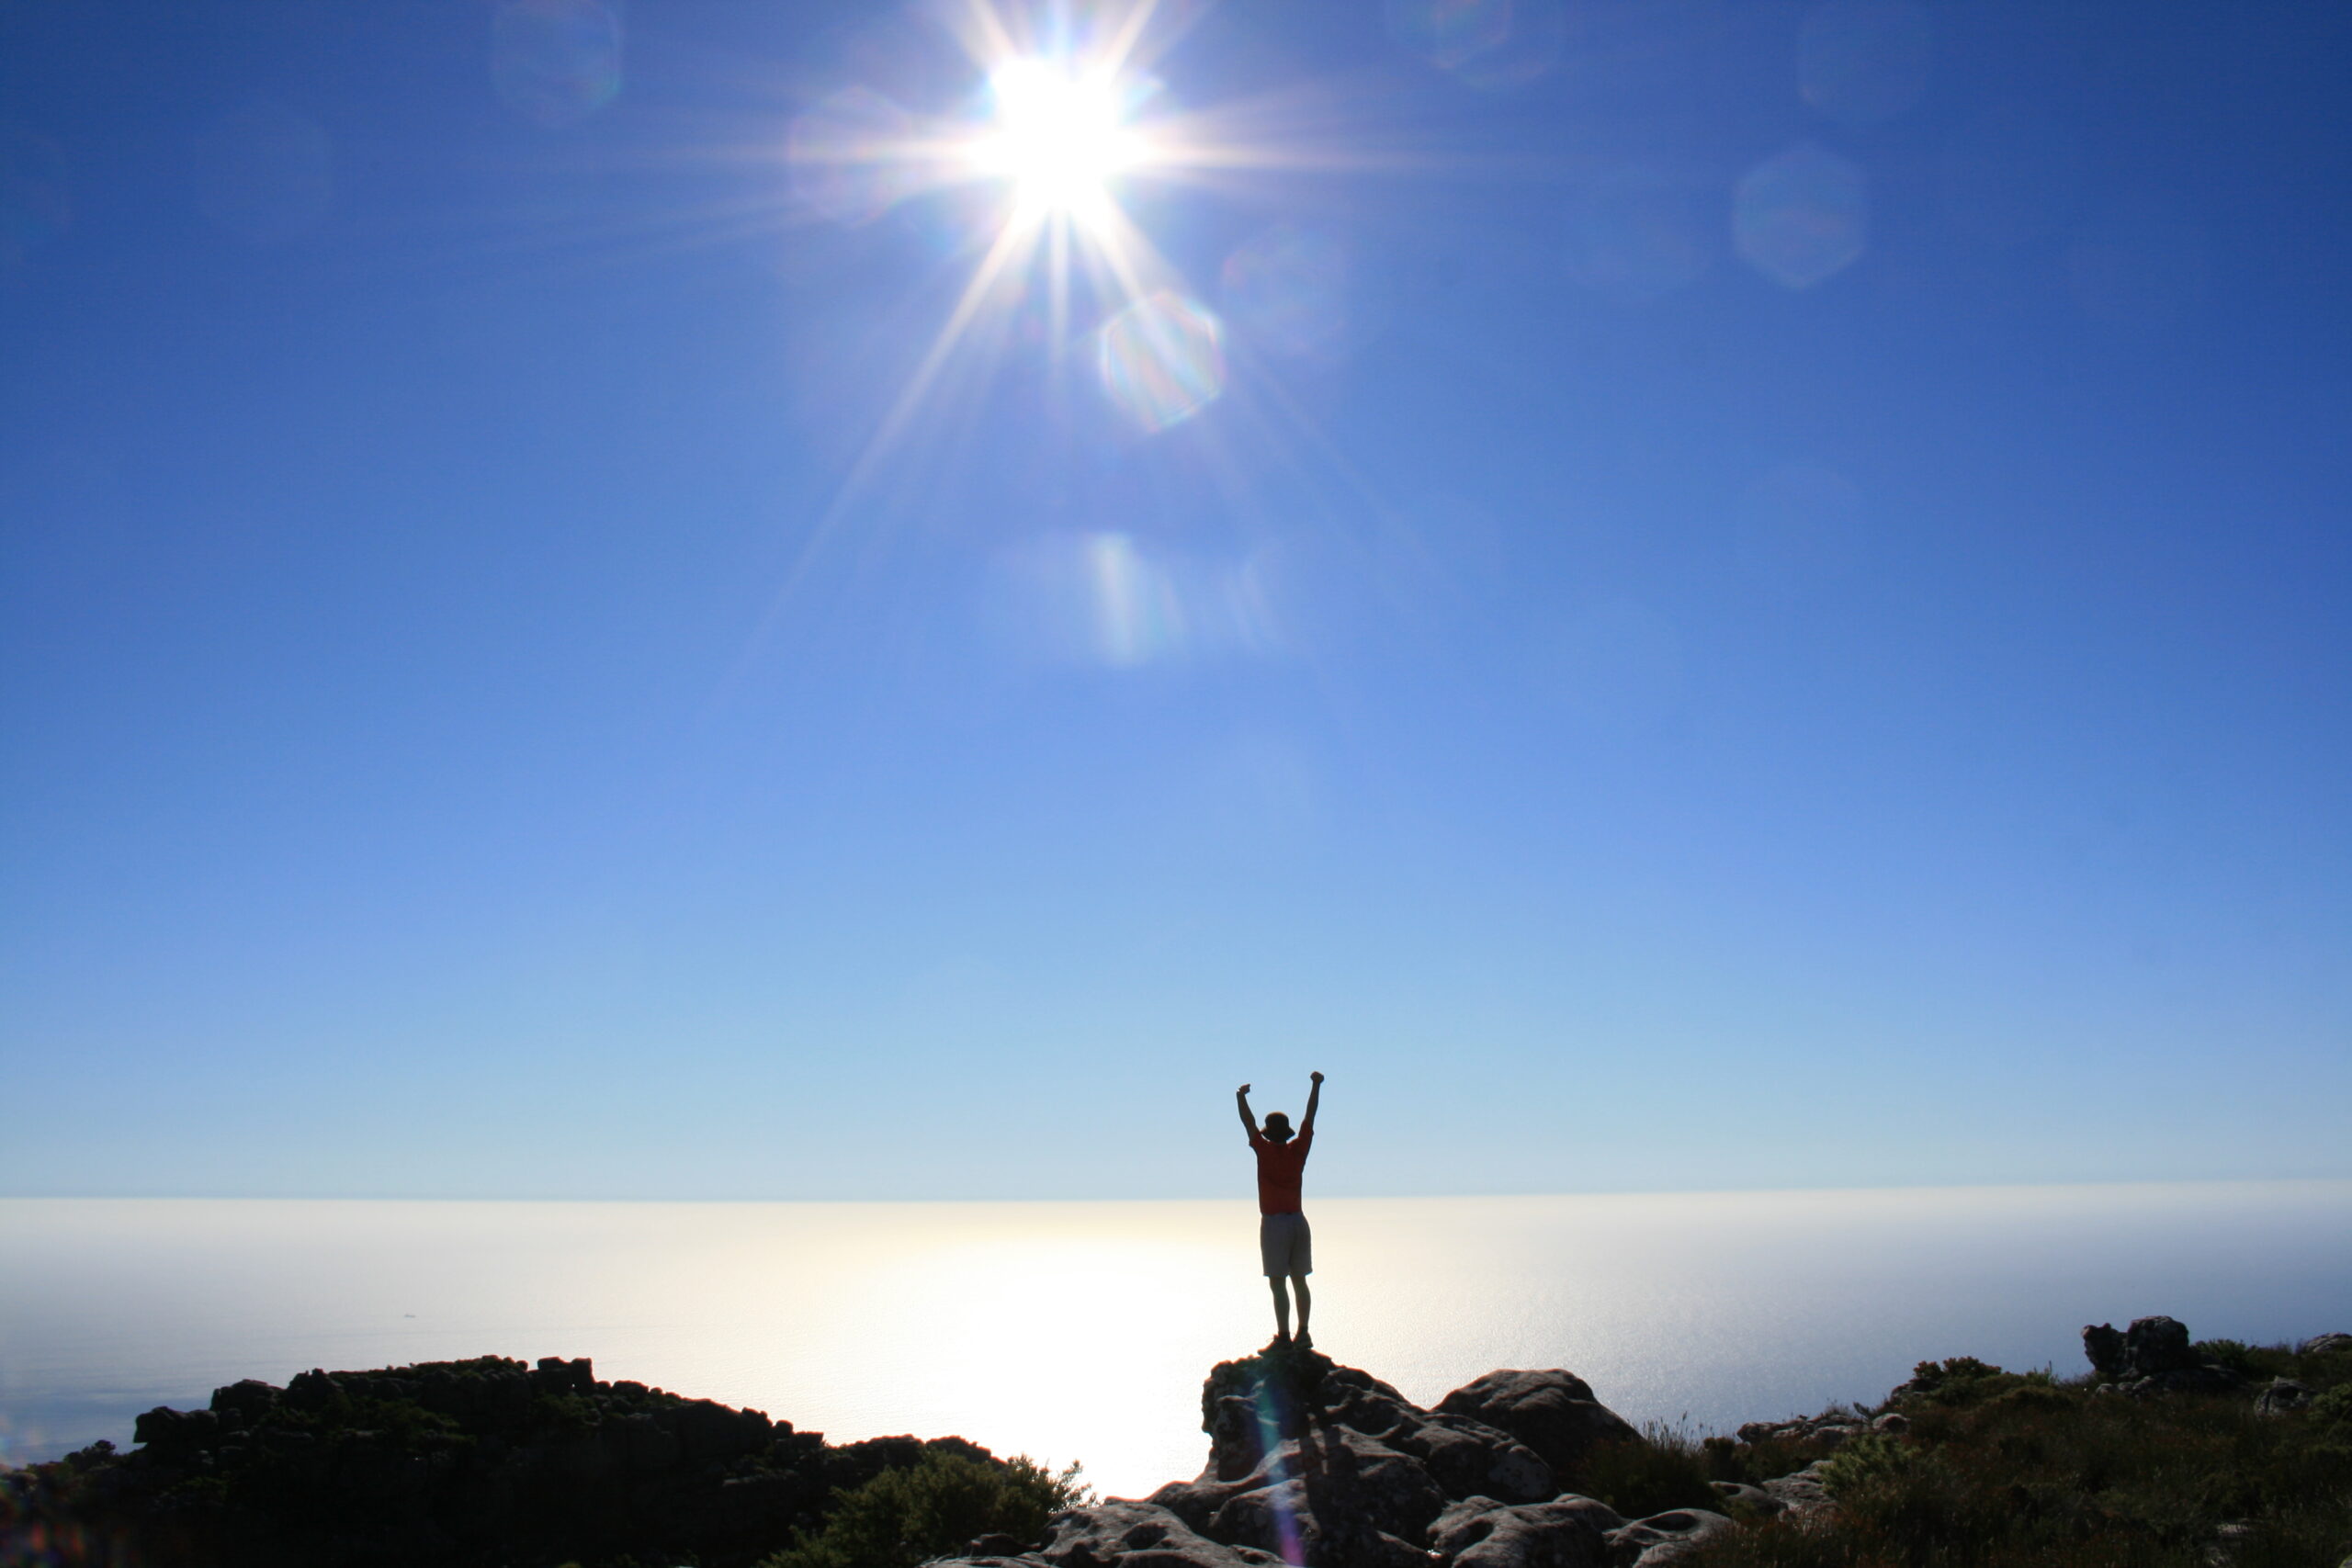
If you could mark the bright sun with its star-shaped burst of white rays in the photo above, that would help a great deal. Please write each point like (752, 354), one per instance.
(1067, 121)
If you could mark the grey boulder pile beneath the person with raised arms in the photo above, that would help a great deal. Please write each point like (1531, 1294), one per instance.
(1325, 1466)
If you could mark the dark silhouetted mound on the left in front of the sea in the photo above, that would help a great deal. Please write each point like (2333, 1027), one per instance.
(453, 1463)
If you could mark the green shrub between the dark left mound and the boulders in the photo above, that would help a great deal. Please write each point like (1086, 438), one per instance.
(933, 1508)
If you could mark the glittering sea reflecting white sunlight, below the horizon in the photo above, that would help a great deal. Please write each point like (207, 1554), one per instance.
(1083, 1332)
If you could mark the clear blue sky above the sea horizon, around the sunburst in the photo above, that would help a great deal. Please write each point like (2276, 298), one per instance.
(1753, 596)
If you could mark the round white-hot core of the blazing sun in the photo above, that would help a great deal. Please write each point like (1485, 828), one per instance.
(1057, 138)
